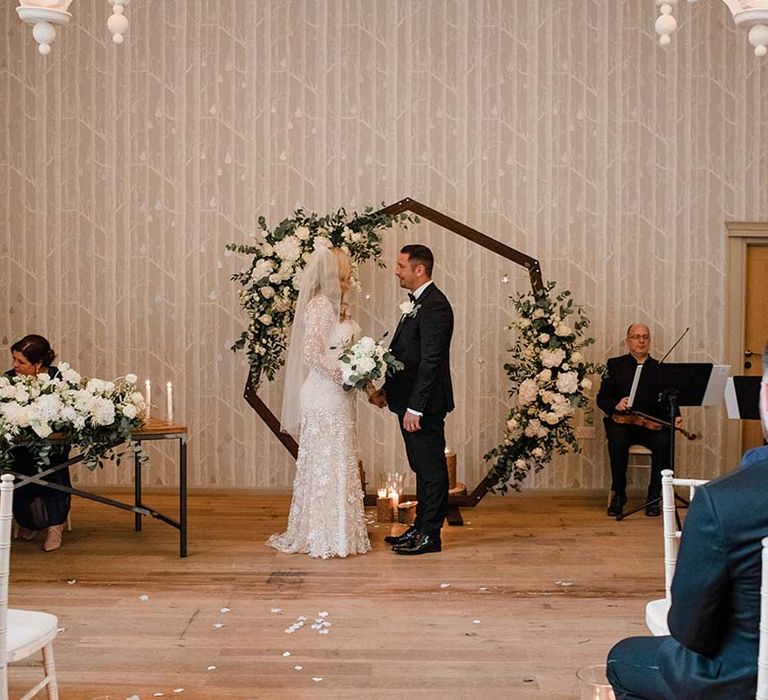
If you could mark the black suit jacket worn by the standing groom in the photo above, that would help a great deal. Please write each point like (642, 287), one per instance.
(422, 342)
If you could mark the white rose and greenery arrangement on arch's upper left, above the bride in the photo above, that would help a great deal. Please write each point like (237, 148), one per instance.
(269, 286)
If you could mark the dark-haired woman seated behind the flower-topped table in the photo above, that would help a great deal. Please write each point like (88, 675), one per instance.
(36, 507)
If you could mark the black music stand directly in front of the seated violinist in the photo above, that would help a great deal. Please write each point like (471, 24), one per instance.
(662, 388)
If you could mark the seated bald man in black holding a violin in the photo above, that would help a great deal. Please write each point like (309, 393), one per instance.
(613, 398)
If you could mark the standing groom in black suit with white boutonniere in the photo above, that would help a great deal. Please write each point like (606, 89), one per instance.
(421, 394)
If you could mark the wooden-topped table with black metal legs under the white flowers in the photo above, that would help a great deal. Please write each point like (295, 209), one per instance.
(154, 429)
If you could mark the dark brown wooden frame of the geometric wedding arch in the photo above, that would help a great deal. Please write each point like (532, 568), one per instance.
(534, 272)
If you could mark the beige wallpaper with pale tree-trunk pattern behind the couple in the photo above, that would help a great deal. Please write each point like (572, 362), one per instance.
(558, 127)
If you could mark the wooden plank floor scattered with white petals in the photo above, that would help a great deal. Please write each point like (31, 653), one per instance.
(533, 587)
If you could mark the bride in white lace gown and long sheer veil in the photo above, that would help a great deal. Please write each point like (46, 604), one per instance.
(327, 517)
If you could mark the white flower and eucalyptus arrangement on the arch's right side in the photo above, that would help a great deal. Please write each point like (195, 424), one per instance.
(550, 380)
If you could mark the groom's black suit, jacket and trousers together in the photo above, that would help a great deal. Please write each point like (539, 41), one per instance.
(422, 343)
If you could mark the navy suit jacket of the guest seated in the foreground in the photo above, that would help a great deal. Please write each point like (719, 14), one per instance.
(715, 612)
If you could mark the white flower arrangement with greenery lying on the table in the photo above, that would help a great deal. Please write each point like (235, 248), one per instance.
(96, 415)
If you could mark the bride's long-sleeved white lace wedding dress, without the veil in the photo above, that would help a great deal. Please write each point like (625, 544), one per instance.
(327, 517)
